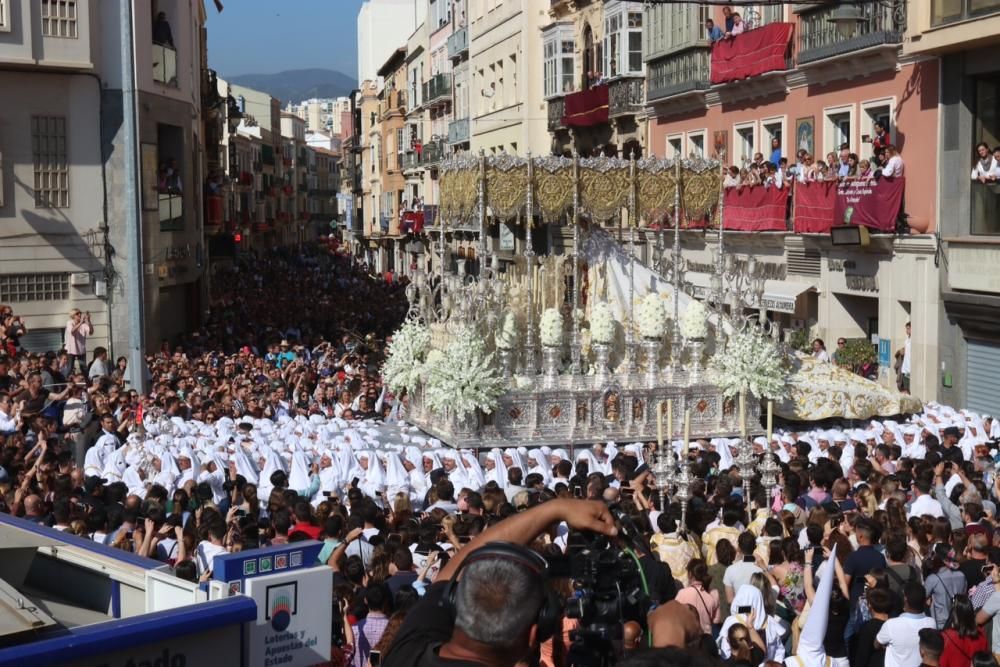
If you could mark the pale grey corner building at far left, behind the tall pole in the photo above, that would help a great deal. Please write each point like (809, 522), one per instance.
(63, 167)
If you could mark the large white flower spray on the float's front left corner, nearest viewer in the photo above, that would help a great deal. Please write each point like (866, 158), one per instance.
(463, 378)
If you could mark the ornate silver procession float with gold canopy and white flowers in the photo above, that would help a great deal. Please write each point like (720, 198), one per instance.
(593, 345)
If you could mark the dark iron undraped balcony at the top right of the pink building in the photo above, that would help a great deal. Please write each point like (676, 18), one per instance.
(820, 39)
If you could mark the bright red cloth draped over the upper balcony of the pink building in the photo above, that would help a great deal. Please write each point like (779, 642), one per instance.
(751, 53)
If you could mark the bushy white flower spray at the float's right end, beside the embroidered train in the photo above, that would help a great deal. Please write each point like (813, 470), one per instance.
(750, 362)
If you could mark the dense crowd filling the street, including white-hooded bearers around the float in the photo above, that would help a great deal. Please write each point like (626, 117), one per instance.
(269, 425)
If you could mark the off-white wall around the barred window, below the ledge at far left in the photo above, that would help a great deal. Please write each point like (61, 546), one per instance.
(38, 240)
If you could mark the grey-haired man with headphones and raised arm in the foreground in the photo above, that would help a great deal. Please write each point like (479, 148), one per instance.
(497, 600)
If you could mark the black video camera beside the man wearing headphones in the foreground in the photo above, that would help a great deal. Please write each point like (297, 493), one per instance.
(609, 590)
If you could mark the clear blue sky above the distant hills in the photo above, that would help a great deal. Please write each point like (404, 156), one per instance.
(268, 36)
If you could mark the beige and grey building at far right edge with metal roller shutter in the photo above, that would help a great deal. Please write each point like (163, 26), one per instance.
(964, 35)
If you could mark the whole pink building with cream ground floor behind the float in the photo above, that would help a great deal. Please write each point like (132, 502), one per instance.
(812, 85)
